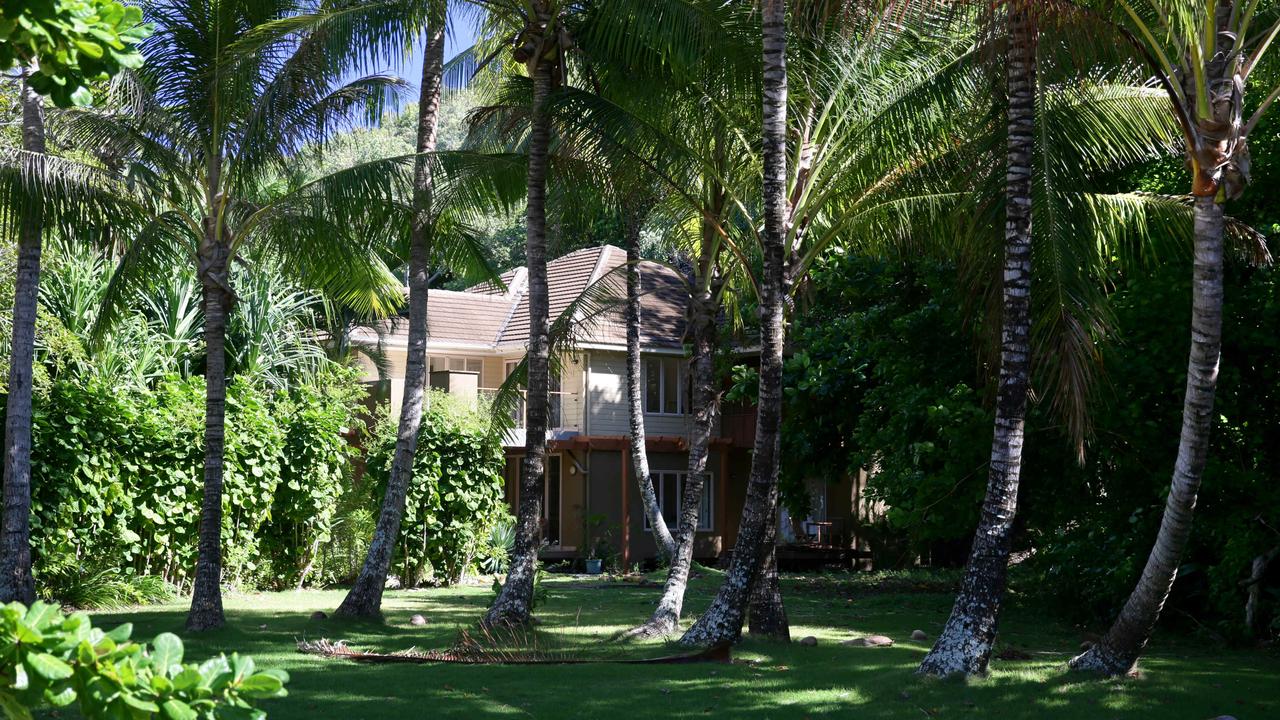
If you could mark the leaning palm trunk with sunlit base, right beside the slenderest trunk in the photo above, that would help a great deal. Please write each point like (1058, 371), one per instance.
(706, 403)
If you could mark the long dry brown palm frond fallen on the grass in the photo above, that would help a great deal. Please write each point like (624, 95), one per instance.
(510, 646)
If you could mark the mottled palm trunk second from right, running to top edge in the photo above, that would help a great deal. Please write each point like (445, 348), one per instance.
(966, 642)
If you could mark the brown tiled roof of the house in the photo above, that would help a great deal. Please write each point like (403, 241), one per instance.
(486, 316)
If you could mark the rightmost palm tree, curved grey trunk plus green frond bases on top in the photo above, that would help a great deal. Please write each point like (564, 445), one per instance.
(1203, 54)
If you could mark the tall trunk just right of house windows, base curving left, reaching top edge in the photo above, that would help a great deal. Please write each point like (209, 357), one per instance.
(724, 619)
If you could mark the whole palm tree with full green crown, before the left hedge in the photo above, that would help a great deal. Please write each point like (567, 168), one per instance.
(205, 126)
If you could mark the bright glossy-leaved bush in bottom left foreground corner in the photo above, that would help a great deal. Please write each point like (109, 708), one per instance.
(52, 659)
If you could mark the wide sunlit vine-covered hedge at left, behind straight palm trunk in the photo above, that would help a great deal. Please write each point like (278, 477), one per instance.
(117, 477)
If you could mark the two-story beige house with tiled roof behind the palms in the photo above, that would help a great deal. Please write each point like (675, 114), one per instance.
(477, 339)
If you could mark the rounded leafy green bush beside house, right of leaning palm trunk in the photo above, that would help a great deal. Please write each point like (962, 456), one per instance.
(456, 498)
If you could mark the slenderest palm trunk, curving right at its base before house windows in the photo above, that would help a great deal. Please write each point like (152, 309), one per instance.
(636, 395)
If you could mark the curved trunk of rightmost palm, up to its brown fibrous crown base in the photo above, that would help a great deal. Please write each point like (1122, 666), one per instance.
(1219, 157)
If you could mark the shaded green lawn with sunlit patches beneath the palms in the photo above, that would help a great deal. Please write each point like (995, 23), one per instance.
(1181, 680)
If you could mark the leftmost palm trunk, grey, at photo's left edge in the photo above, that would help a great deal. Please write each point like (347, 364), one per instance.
(16, 580)
